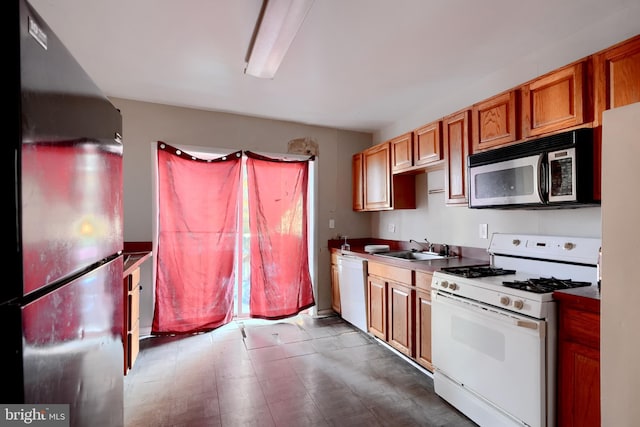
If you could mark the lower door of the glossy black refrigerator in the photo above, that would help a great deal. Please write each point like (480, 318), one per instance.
(71, 348)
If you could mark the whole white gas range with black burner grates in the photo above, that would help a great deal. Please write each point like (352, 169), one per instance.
(494, 347)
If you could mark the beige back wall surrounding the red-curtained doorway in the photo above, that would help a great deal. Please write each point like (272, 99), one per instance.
(144, 123)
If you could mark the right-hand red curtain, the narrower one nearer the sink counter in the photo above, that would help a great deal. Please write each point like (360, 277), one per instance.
(280, 280)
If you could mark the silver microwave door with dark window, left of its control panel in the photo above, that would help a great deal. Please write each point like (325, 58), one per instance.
(508, 182)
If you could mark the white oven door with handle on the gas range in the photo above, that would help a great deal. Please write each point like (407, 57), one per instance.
(494, 353)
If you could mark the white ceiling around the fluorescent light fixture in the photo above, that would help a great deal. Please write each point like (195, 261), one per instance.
(365, 65)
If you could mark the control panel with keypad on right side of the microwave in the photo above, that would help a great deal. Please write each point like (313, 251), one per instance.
(562, 175)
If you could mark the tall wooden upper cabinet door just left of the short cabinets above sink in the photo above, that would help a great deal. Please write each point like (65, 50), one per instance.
(377, 177)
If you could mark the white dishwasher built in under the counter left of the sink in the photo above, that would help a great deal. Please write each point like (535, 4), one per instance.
(352, 276)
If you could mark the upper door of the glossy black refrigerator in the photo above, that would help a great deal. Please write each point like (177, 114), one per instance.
(69, 164)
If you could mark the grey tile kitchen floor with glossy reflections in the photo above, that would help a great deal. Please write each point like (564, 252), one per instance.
(297, 372)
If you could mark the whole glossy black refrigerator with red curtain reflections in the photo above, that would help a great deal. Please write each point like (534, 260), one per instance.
(61, 306)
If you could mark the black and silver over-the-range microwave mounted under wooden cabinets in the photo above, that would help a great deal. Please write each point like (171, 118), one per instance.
(552, 171)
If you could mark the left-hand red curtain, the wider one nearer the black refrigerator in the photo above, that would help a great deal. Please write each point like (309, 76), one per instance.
(198, 223)
